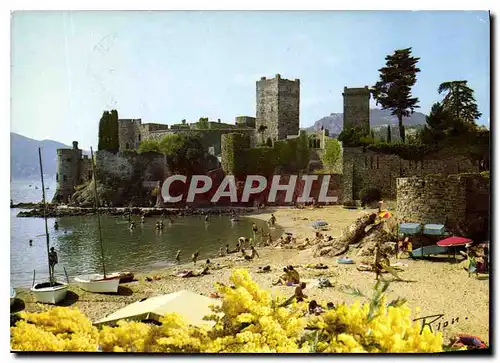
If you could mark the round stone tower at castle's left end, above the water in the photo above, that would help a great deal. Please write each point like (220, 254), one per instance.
(68, 172)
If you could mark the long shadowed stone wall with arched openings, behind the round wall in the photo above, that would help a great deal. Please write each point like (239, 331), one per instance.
(371, 169)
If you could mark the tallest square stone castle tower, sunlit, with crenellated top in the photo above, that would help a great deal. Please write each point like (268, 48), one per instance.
(278, 102)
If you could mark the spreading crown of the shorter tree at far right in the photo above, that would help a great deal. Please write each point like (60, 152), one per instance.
(459, 101)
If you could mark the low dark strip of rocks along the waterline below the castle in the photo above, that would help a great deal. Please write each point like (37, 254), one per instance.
(64, 211)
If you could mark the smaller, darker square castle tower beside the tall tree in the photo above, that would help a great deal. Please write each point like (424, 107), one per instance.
(357, 108)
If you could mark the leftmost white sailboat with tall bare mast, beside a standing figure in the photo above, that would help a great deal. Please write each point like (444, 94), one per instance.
(50, 292)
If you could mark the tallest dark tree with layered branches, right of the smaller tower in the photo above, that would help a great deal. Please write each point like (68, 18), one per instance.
(393, 91)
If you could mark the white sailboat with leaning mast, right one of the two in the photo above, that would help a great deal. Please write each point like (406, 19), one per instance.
(100, 283)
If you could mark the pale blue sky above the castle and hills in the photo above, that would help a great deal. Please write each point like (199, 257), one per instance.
(165, 66)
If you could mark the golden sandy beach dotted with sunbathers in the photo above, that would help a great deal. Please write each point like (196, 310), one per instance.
(436, 287)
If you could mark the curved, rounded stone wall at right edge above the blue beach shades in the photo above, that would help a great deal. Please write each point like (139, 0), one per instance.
(460, 202)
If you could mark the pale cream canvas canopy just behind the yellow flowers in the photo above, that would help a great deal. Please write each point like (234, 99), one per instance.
(191, 306)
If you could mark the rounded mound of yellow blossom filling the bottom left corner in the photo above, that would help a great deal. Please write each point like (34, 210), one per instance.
(57, 329)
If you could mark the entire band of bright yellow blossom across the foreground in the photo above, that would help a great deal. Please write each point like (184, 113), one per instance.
(248, 320)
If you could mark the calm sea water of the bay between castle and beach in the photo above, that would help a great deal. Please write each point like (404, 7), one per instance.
(78, 247)
